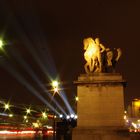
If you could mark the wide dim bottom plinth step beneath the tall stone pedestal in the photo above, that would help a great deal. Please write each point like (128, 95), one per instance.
(100, 133)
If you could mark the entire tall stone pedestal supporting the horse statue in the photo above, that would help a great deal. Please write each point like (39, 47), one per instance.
(100, 108)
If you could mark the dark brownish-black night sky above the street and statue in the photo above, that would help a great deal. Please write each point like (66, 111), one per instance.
(53, 31)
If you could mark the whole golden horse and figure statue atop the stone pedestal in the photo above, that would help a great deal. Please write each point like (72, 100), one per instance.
(98, 58)
